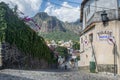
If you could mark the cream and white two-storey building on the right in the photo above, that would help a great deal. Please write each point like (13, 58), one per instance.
(100, 42)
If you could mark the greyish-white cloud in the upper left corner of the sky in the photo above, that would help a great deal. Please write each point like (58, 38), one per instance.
(29, 7)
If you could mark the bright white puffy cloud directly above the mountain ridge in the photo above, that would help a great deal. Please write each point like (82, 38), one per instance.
(69, 14)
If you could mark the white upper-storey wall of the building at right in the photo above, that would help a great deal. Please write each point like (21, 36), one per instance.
(98, 5)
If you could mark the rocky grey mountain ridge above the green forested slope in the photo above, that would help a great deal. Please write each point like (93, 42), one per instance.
(51, 23)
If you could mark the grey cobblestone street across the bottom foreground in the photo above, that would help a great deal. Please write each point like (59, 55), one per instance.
(9, 74)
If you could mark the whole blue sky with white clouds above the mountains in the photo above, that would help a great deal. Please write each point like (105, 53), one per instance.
(65, 10)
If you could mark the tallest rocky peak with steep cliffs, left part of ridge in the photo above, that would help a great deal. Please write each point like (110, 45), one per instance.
(48, 23)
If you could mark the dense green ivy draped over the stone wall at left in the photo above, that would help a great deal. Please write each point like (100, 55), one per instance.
(14, 31)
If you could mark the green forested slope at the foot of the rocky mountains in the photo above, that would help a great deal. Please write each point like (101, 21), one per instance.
(59, 35)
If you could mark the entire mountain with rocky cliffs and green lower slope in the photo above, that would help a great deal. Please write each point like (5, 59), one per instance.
(53, 28)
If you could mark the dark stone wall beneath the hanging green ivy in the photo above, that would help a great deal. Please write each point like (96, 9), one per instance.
(12, 57)
